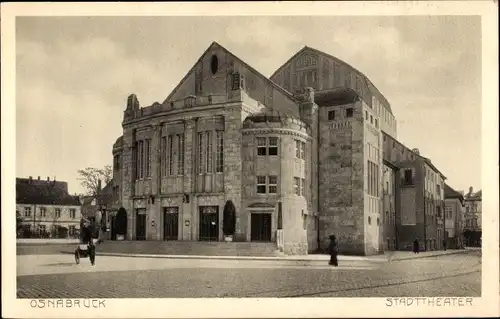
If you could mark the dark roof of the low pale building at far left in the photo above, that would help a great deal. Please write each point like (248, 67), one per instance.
(43, 194)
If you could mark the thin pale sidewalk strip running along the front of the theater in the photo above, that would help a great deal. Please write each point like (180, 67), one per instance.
(387, 257)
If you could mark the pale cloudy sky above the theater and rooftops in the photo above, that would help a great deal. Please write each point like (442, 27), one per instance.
(73, 76)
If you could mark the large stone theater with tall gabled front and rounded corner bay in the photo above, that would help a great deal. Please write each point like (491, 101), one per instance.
(299, 155)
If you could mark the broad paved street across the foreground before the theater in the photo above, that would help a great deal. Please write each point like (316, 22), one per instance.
(57, 276)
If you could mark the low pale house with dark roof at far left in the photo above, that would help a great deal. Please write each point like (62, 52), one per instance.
(45, 209)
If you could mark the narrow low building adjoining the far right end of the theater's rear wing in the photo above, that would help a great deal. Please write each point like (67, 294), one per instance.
(454, 213)
